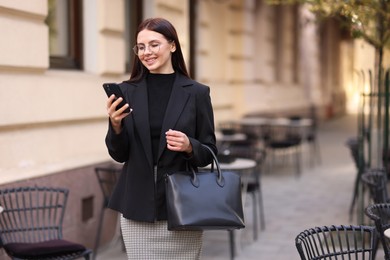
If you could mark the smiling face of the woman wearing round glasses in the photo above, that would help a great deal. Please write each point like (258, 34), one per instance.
(154, 51)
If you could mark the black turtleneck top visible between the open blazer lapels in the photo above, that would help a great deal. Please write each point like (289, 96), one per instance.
(159, 90)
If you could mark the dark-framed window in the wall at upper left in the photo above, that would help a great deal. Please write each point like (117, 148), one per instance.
(65, 23)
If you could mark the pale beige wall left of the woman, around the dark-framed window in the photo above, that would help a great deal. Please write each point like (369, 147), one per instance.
(54, 120)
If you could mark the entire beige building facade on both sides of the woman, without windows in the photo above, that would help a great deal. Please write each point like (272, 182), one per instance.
(55, 120)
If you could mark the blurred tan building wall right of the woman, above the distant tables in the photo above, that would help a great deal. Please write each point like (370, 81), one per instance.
(238, 56)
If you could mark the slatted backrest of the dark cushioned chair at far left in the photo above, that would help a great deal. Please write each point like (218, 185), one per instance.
(32, 214)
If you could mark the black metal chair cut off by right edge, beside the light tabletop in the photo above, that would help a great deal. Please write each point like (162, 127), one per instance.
(380, 214)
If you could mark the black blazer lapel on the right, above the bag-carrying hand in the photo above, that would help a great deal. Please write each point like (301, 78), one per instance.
(176, 103)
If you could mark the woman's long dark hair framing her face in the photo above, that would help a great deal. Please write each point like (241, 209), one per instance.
(165, 28)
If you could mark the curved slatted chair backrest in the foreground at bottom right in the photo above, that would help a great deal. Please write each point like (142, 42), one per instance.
(337, 242)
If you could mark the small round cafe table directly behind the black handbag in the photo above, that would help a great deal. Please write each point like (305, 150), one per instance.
(245, 168)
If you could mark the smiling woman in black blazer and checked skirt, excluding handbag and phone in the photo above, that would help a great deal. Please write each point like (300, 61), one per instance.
(171, 117)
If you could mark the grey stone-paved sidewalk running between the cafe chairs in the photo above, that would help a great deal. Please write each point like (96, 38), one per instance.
(321, 196)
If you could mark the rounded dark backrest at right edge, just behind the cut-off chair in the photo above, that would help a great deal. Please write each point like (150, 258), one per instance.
(376, 181)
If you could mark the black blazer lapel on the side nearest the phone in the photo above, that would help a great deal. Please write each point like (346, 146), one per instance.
(139, 103)
